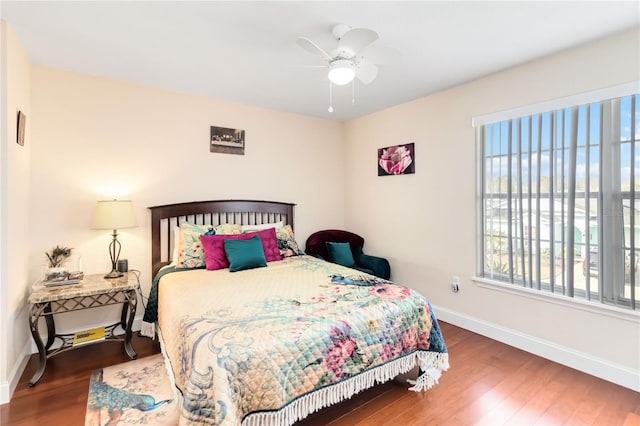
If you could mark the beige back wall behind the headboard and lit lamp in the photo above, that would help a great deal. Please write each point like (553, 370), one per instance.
(96, 139)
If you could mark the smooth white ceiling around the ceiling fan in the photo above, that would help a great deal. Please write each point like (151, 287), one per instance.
(247, 51)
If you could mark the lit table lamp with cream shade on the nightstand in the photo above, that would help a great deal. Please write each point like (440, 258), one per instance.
(115, 214)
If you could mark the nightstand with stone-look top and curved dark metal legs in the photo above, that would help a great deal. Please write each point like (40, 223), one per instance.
(91, 292)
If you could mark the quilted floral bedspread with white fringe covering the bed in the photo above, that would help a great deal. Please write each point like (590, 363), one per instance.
(271, 345)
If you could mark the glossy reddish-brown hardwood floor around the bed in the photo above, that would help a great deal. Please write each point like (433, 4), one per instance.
(489, 383)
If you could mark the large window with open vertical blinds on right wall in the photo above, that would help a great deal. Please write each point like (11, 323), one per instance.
(560, 201)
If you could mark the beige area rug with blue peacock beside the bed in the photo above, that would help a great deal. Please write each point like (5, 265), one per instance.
(133, 393)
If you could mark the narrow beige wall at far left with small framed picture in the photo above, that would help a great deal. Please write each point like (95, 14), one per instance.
(14, 207)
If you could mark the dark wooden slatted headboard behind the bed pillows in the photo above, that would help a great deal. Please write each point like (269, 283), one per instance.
(243, 212)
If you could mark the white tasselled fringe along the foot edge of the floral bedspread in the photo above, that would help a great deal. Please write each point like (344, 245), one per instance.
(431, 364)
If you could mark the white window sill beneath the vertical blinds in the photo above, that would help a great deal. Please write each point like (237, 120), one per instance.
(556, 299)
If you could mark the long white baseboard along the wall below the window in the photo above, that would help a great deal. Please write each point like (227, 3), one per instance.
(606, 370)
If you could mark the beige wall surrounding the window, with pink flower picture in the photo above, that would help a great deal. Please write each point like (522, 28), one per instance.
(425, 222)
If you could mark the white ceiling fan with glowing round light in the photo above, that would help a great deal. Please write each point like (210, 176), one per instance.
(346, 62)
